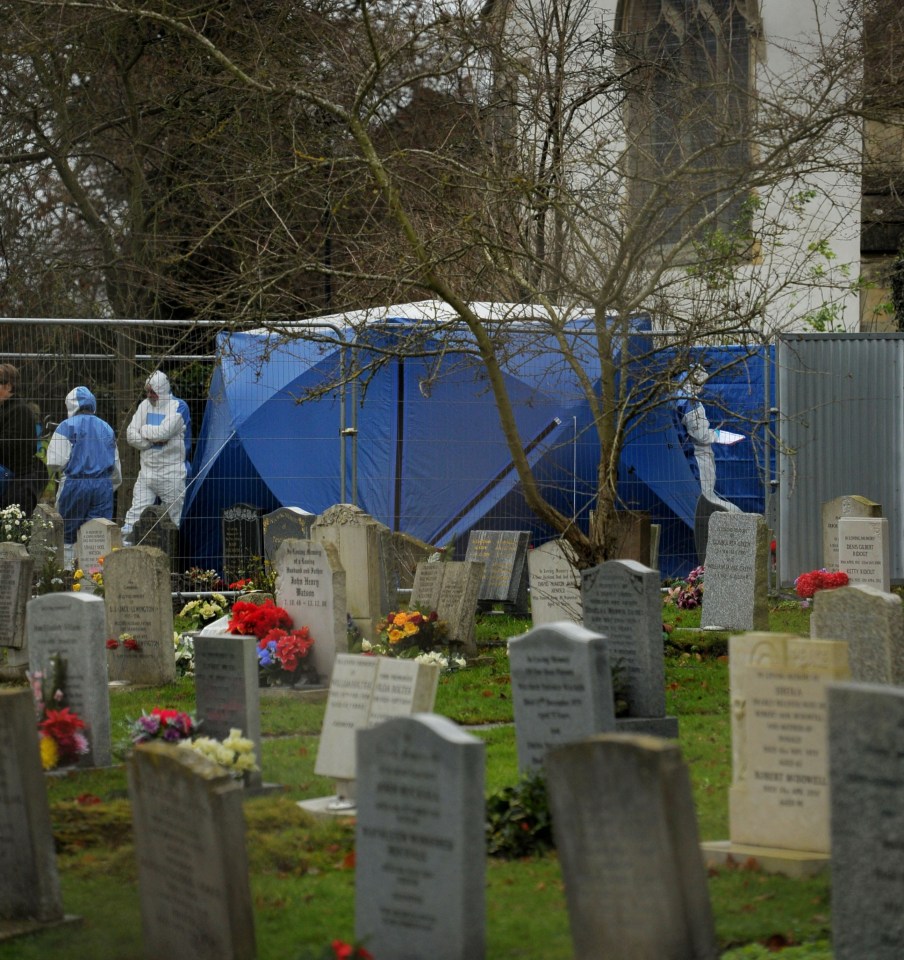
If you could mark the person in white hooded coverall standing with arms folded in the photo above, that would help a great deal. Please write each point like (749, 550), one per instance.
(161, 430)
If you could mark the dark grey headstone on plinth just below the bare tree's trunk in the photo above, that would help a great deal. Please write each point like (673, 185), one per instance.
(622, 601)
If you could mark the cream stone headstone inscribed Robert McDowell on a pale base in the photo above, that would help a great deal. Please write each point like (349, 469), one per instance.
(779, 798)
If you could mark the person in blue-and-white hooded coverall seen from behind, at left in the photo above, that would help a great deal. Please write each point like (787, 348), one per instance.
(83, 449)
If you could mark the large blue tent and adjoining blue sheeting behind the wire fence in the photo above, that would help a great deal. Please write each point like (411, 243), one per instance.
(420, 446)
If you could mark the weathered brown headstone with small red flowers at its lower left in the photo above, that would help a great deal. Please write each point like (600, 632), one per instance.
(139, 602)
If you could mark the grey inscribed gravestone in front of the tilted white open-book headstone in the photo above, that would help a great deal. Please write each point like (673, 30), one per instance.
(420, 846)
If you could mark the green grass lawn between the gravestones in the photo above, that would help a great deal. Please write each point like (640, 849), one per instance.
(302, 871)
